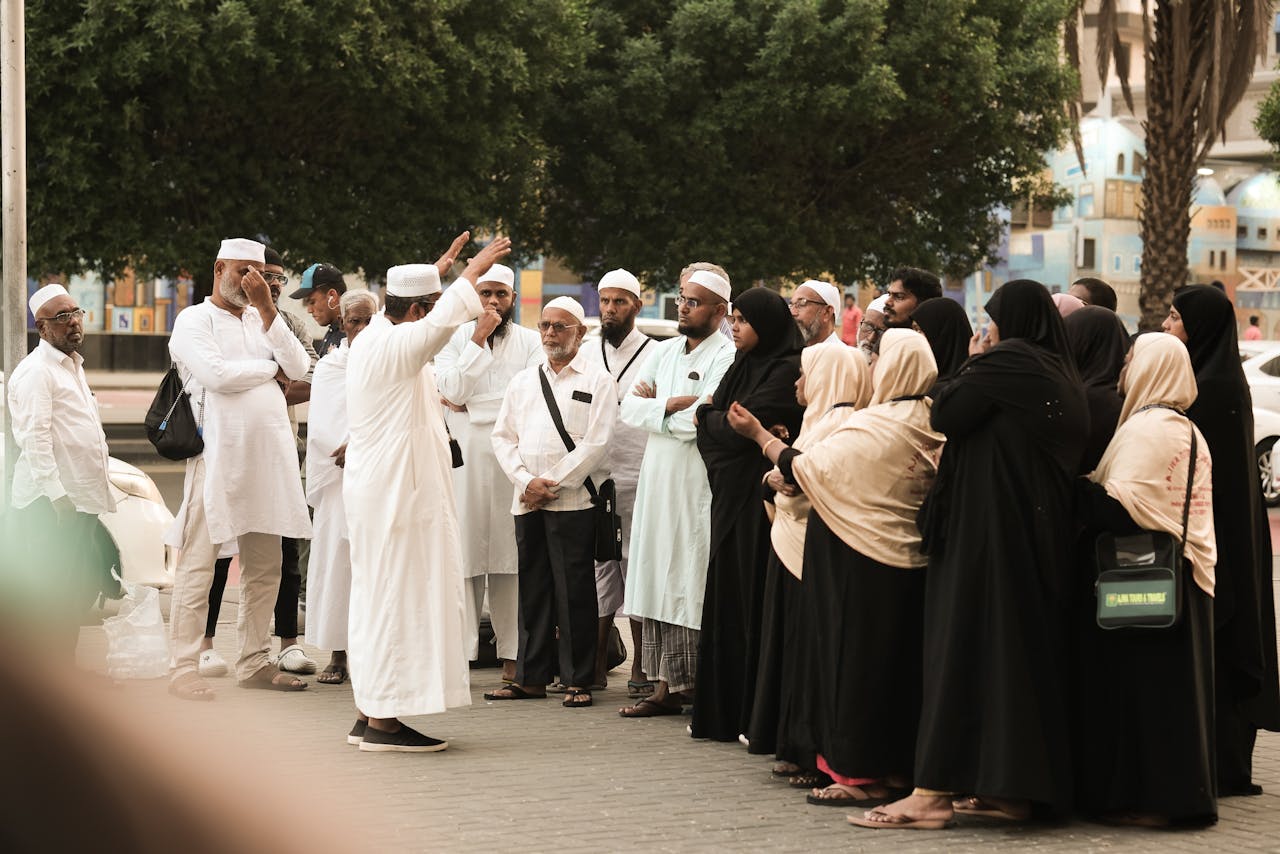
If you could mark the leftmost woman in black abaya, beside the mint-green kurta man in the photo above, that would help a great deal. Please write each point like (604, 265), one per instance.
(764, 380)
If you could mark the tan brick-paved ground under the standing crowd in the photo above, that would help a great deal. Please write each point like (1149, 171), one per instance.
(540, 778)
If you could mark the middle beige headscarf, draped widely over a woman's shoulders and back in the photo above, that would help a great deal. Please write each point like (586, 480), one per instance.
(868, 478)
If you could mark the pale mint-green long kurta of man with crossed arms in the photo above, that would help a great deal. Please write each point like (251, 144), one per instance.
(671, 527)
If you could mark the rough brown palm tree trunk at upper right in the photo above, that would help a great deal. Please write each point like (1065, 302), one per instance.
(1168, 184)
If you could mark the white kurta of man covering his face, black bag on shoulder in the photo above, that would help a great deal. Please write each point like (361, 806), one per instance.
(252, 460)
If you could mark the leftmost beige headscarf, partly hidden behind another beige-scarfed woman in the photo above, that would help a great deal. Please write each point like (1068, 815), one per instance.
(831, 376)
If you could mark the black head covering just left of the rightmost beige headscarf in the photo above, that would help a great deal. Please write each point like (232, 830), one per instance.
(1099, 346)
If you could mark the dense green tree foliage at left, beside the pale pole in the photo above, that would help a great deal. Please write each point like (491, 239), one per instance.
(360, 133)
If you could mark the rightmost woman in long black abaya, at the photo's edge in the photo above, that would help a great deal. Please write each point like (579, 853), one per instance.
(1245, 646)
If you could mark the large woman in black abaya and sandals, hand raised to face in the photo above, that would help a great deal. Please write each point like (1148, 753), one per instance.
(998, 588)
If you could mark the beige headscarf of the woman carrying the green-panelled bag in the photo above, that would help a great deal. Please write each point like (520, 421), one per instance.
(1145, 468)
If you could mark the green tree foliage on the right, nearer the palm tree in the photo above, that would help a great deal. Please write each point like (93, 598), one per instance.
(792, 138)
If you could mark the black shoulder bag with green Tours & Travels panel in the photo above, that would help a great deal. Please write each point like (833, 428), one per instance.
(1141, 576)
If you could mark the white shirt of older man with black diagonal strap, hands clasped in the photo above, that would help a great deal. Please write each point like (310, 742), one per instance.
(529, 446)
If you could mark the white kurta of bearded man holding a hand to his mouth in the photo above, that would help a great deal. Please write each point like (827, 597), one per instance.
(478, 378)
